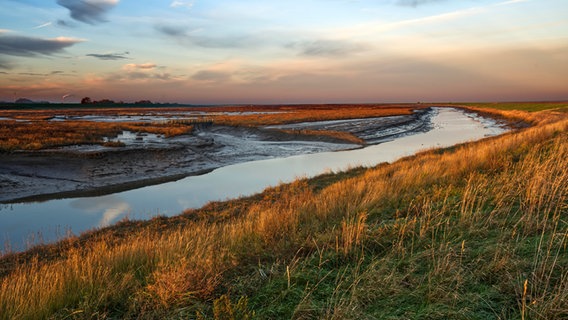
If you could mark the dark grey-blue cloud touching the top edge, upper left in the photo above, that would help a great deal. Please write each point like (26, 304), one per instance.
(88, 11)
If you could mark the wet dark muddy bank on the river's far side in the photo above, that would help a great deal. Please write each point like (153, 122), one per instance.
(93, 170)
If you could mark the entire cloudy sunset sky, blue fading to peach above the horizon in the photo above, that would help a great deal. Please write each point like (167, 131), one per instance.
(293, 51)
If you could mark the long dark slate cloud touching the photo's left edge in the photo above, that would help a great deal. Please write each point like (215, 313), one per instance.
(29, 46)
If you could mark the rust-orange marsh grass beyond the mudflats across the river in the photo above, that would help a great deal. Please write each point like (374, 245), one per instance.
(33, 130)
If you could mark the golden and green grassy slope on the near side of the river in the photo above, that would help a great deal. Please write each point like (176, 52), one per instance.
(476, 231)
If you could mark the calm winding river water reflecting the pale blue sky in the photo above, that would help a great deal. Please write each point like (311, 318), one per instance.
(28, 223)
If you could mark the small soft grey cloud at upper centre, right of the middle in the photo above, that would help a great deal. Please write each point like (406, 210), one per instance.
(329, 48)
